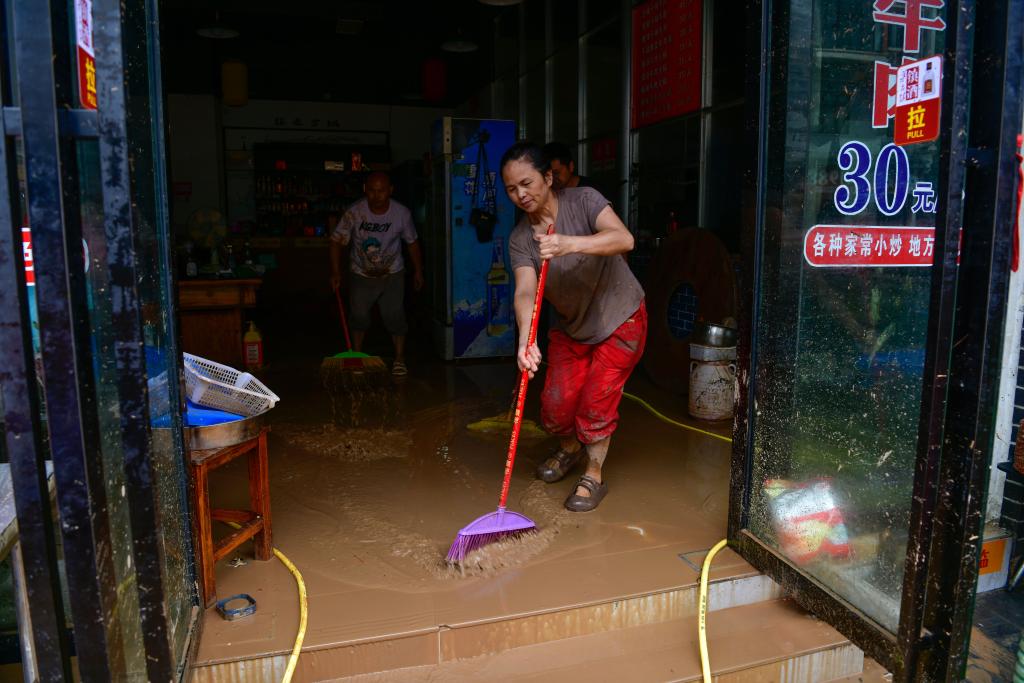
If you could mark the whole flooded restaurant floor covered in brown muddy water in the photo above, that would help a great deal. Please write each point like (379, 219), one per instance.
(368, 515)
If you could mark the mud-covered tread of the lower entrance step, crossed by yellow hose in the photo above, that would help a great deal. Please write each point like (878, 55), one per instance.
(772, 641)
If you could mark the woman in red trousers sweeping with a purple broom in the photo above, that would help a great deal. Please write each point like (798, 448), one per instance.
(602, 319)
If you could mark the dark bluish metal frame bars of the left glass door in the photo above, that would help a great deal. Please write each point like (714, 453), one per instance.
(48, 119)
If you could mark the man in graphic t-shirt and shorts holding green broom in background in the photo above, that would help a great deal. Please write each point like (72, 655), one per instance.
(373, 231)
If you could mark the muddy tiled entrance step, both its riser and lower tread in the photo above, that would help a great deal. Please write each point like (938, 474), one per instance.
(751, 630)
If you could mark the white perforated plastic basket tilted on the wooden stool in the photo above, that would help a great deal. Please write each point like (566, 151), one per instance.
(226, 389)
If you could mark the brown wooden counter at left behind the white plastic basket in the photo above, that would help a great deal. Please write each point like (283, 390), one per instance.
(211, 318)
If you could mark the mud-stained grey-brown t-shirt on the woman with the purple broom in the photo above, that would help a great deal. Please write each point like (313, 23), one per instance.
(593, 295)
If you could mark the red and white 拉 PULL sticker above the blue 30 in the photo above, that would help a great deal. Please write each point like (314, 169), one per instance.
(919, 102)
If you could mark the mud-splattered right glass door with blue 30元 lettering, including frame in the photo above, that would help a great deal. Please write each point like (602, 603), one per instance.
(848, 484)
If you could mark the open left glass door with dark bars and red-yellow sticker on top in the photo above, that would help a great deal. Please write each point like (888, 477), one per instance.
(90, 381)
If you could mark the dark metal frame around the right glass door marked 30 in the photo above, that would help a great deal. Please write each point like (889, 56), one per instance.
(983, 89)
